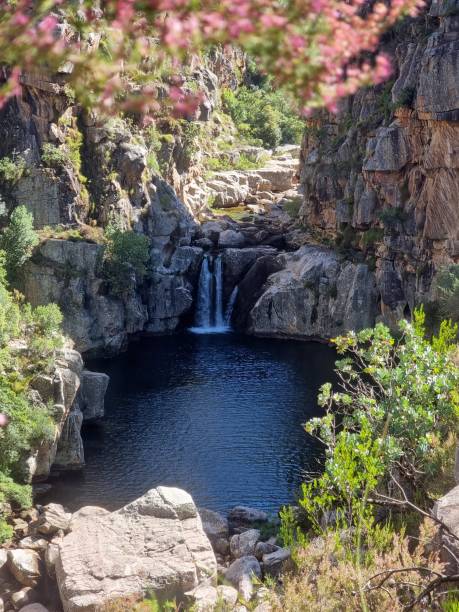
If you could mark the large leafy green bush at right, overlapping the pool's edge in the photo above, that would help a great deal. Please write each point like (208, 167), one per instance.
(396, 407)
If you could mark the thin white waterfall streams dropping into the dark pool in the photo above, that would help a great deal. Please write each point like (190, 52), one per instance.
(209, 318)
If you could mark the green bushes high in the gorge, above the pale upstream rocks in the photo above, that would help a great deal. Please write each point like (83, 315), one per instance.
(263, 116)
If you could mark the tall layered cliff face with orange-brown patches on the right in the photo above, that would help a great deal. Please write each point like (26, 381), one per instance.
(386, 188)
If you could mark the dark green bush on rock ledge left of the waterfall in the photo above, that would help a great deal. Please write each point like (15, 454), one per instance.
(126, 256)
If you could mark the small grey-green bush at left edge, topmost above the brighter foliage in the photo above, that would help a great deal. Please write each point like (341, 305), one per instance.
(18, 240)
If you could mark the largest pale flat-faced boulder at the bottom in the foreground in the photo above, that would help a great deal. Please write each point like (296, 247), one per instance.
(155, 543)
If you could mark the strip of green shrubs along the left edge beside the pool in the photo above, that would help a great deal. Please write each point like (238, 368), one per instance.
(29, 338)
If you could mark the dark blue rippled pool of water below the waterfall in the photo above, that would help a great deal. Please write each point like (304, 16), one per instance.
(219, 415)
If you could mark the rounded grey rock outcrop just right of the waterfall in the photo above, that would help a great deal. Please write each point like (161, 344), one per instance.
(315, 295)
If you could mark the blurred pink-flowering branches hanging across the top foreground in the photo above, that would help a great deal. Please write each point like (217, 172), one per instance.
(314, 48)
